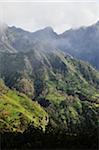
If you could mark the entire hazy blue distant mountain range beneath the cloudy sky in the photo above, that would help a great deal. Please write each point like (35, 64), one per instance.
(81, 43)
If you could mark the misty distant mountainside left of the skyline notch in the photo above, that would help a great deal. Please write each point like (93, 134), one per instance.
(17, 40)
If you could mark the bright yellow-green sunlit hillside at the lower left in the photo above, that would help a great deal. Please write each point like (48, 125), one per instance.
(17, 111)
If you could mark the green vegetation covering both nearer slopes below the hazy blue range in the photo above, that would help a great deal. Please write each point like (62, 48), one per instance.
(53, 87)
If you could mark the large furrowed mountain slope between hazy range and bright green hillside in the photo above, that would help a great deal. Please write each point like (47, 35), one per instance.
(68, 89)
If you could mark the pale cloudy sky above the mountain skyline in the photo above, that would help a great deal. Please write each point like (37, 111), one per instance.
(60, 15)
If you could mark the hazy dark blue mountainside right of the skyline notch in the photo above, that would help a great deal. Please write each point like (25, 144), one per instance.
(82, 43)
